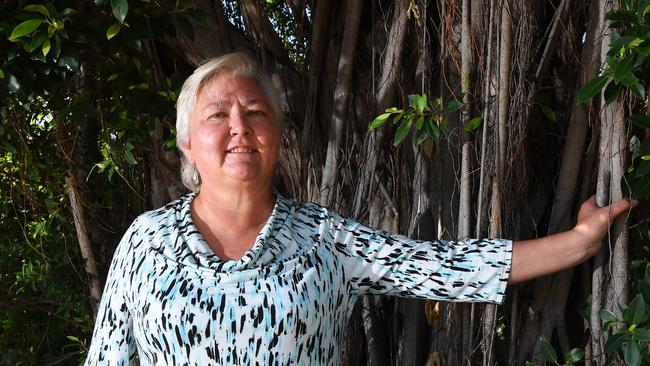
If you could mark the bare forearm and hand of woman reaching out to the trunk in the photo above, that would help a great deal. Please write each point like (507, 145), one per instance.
(553, 253)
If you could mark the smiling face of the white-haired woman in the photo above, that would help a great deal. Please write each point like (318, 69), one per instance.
(234, 137)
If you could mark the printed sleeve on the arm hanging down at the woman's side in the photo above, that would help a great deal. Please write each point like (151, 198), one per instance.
(113, 342)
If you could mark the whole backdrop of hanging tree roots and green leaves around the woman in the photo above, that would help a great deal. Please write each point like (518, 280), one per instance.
(496, 118)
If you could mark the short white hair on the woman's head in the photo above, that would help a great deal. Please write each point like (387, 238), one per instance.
(236, 63)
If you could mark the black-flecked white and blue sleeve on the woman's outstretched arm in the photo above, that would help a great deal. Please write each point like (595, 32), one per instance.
(378, 262)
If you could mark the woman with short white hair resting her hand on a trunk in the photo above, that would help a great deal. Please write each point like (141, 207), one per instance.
(235, 274)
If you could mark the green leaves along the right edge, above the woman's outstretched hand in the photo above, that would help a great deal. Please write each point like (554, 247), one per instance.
(628, 68)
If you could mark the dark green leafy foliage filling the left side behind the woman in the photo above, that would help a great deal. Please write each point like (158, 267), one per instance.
(78, 89)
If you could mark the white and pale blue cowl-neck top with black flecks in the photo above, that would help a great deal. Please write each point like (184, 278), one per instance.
(171, 301)
